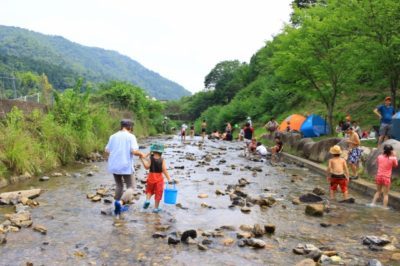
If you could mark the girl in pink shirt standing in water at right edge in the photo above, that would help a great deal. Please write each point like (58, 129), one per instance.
(386, 161)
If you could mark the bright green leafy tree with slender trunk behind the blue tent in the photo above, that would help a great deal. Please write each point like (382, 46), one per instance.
(318, 55)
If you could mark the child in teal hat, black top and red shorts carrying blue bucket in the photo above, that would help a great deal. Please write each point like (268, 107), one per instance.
(155, 180)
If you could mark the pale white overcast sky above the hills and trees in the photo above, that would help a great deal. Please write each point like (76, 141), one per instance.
(182, 40)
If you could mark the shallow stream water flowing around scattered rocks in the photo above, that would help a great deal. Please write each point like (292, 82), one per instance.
(78, 234)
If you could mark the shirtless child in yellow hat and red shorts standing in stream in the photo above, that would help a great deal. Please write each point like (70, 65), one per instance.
(337, 172)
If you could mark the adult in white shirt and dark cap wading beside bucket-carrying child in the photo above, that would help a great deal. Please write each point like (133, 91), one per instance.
(121, 148)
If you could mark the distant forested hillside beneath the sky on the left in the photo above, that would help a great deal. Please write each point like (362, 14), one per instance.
(62, 61)
